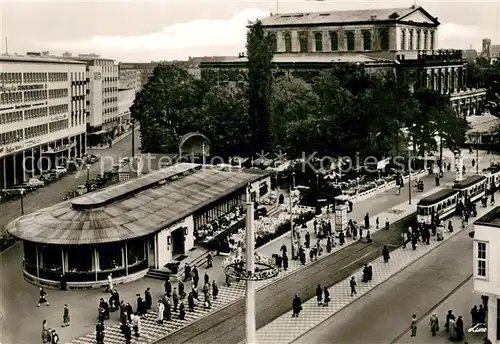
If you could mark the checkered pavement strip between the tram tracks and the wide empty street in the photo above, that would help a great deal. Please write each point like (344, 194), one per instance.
(286, 329)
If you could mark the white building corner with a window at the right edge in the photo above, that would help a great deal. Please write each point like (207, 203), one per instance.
(487, 268)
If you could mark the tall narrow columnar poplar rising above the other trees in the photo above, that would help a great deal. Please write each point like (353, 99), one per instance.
(259, 54)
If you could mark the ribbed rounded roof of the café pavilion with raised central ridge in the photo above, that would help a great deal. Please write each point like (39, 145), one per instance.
(132, 209)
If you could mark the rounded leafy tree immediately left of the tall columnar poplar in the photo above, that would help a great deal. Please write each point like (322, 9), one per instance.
(226, 120)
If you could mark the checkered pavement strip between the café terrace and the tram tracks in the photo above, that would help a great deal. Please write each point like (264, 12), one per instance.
(151, 331)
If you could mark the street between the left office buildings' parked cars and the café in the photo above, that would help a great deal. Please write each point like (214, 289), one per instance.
(54, 193)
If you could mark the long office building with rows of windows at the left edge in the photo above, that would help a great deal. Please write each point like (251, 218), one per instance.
(42, 114)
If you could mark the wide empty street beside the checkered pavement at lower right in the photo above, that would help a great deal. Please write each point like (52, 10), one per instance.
(383, 314)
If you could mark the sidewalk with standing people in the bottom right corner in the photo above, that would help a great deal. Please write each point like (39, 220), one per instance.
(461, 302)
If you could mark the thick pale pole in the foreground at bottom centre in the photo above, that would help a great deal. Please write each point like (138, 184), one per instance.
(251, 332)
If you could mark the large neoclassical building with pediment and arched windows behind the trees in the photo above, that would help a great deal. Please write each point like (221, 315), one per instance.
(400, 39)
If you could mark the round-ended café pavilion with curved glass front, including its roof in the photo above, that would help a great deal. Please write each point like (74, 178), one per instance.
(129, 228)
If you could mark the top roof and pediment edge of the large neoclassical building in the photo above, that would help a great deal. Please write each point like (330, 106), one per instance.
(356, 16)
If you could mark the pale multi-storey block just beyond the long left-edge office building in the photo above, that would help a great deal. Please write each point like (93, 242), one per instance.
(103, 120)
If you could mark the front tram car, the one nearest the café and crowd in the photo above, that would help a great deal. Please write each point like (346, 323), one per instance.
(440, 204)
